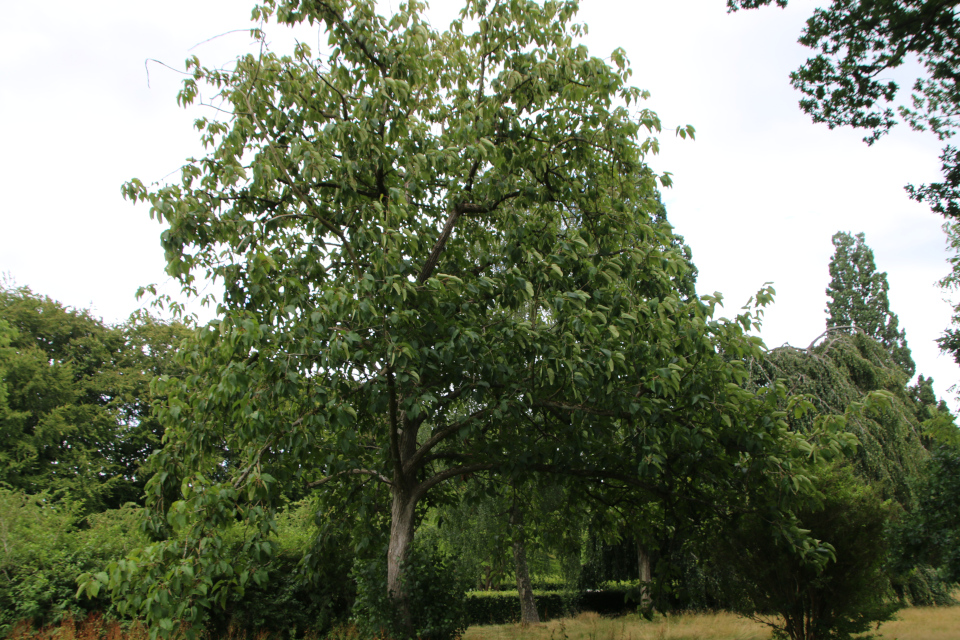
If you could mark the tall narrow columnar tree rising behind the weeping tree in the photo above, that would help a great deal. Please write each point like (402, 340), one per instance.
(858, 298)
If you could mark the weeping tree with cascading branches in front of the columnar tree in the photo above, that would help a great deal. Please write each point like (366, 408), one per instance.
(838, 370)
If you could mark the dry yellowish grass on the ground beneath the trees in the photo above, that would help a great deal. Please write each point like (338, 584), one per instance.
(920, 623)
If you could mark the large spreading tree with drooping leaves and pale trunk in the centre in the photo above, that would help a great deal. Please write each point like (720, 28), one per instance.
(439, 255)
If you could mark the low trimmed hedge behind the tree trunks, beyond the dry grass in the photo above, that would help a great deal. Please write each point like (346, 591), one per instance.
(503, 607)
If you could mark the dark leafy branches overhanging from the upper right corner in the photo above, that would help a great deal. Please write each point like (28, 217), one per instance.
(857, 42)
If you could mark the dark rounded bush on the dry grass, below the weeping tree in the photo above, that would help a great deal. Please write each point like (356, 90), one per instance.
(846, 596)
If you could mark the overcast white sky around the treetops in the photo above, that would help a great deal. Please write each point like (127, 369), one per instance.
(758, 195)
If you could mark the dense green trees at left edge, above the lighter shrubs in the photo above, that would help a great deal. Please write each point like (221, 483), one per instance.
(76, 418)
